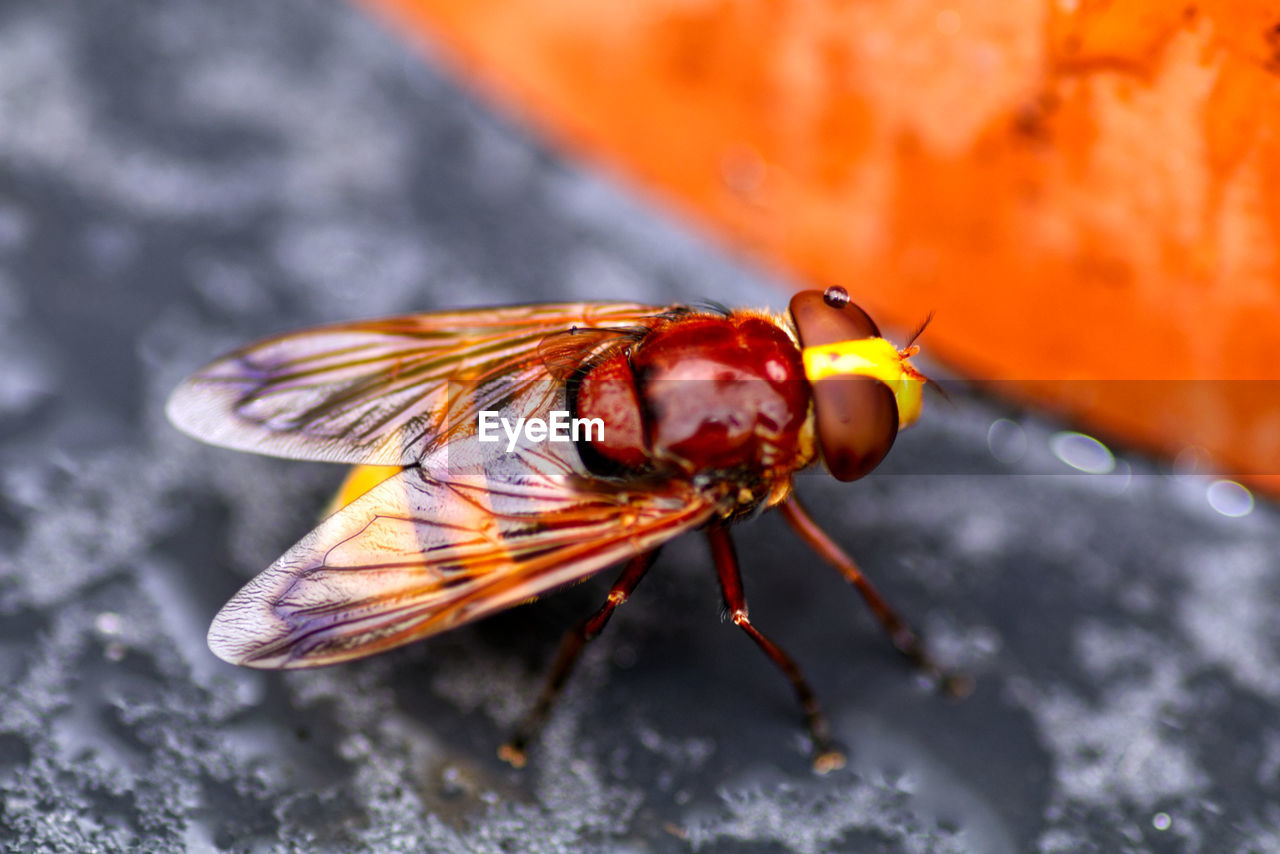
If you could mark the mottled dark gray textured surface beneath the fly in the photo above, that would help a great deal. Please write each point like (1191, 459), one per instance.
(179, 179)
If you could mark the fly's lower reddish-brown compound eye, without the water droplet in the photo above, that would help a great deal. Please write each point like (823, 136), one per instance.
(857, 422)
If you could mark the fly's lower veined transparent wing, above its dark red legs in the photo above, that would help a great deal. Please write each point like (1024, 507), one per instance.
(422, 554)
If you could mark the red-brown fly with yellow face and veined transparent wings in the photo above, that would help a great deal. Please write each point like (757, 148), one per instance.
(707, 414)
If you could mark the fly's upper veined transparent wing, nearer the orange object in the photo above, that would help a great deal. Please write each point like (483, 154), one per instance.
(390, 392)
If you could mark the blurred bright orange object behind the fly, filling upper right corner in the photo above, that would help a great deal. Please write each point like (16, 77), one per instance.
(1084, 191)
